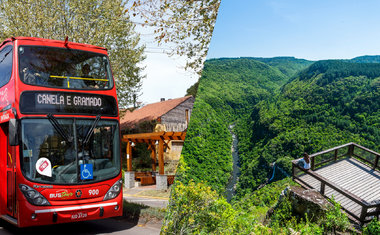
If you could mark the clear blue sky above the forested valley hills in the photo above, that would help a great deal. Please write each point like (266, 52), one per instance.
(308, 29)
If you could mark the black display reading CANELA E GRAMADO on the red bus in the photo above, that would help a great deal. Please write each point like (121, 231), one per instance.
(38, 102)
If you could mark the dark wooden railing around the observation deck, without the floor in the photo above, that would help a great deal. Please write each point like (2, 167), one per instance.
(318, 160)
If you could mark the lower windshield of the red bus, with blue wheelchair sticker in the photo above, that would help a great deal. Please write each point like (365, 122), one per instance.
(90, 154)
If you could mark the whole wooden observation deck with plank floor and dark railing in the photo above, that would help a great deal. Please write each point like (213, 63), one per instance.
(350, 173)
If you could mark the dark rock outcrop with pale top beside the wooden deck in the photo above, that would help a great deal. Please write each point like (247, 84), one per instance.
(303, 201)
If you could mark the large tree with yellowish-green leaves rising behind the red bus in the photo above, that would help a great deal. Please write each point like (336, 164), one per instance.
(99, 22)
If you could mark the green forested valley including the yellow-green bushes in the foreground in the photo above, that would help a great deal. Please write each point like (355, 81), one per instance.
(280, 107)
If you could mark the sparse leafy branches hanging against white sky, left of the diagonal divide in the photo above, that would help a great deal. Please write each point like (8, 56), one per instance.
(186, 26)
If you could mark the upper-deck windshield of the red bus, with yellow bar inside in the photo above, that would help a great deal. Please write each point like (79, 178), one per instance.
(64, 68)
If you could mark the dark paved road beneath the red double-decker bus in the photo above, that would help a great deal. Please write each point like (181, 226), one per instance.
(105, 226)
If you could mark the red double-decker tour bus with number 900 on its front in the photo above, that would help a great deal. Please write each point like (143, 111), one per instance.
(59, 133)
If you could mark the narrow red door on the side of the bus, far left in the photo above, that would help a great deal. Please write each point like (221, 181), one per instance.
(11, 176)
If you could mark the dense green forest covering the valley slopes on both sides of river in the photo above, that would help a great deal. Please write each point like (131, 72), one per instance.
(281, 107)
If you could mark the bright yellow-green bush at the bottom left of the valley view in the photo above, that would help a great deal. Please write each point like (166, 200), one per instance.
(196, 208)
